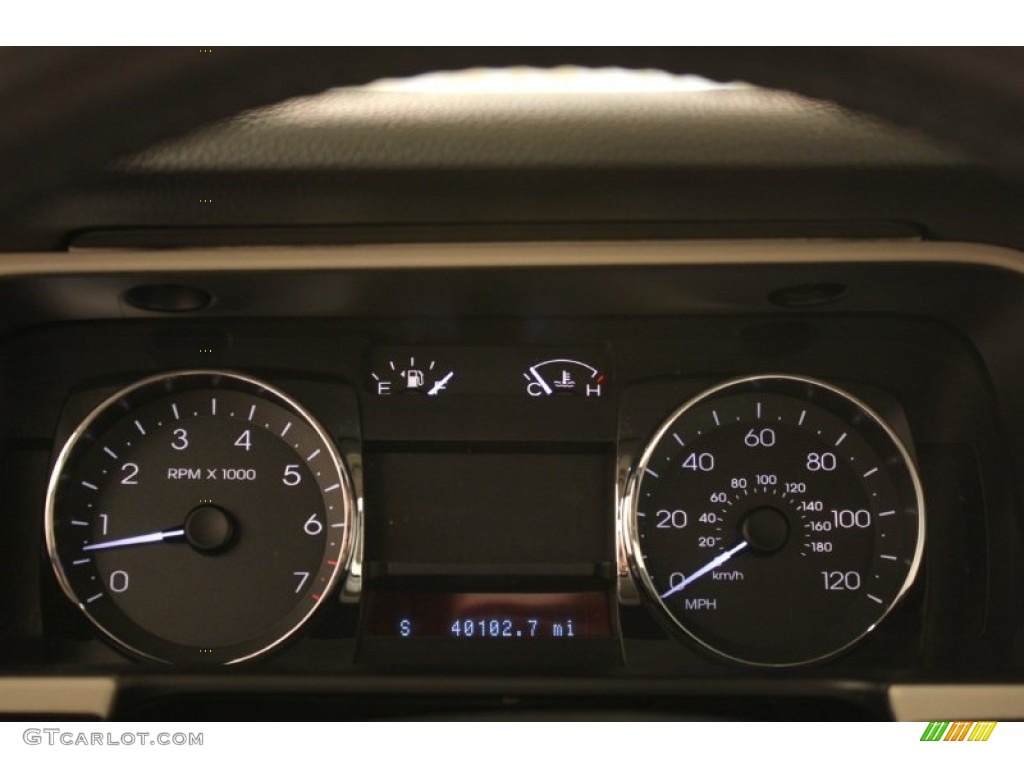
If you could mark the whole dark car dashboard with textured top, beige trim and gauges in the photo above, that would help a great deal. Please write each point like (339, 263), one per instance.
(381, 406)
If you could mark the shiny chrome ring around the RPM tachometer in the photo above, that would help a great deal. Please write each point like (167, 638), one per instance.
(187, 380)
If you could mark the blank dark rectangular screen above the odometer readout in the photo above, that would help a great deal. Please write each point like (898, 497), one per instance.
(489, 507)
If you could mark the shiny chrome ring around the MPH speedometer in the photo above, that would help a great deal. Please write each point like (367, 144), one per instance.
(629, 506)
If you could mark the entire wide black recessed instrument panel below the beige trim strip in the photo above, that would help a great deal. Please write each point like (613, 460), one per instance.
(642, 496)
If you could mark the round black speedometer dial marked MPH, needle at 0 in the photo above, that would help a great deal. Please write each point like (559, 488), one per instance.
(776, 520)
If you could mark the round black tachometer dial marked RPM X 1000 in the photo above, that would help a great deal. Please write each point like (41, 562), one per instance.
(199, 518)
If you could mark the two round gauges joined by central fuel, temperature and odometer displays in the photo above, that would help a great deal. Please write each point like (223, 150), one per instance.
(210, 517)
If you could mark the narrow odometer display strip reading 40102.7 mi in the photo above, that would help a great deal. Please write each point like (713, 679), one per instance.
(475, 617)
